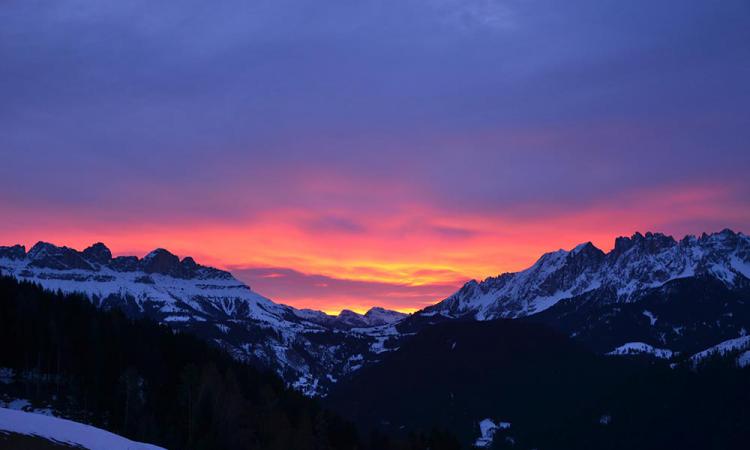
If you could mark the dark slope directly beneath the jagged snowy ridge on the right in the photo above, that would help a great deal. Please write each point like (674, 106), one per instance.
(685, 315)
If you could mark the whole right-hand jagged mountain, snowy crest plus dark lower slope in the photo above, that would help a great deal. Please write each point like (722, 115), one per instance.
(648, 291)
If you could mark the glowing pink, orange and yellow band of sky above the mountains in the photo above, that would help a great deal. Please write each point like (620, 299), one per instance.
(405, 262)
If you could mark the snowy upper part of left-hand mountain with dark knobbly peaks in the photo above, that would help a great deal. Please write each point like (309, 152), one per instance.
(181, 290)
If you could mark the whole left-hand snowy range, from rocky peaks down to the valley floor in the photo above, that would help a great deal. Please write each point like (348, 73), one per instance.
(309, 349)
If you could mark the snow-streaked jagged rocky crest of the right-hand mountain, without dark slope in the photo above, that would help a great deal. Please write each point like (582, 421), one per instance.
(635, 265)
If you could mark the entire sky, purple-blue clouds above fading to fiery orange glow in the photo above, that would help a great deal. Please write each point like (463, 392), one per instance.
(353, 153)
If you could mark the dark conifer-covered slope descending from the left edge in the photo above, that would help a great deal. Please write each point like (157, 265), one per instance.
(148, 383)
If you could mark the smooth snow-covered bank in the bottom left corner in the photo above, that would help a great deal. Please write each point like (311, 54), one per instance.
(66, 431)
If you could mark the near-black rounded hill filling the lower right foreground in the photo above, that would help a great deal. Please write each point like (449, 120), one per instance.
(554, 393)
